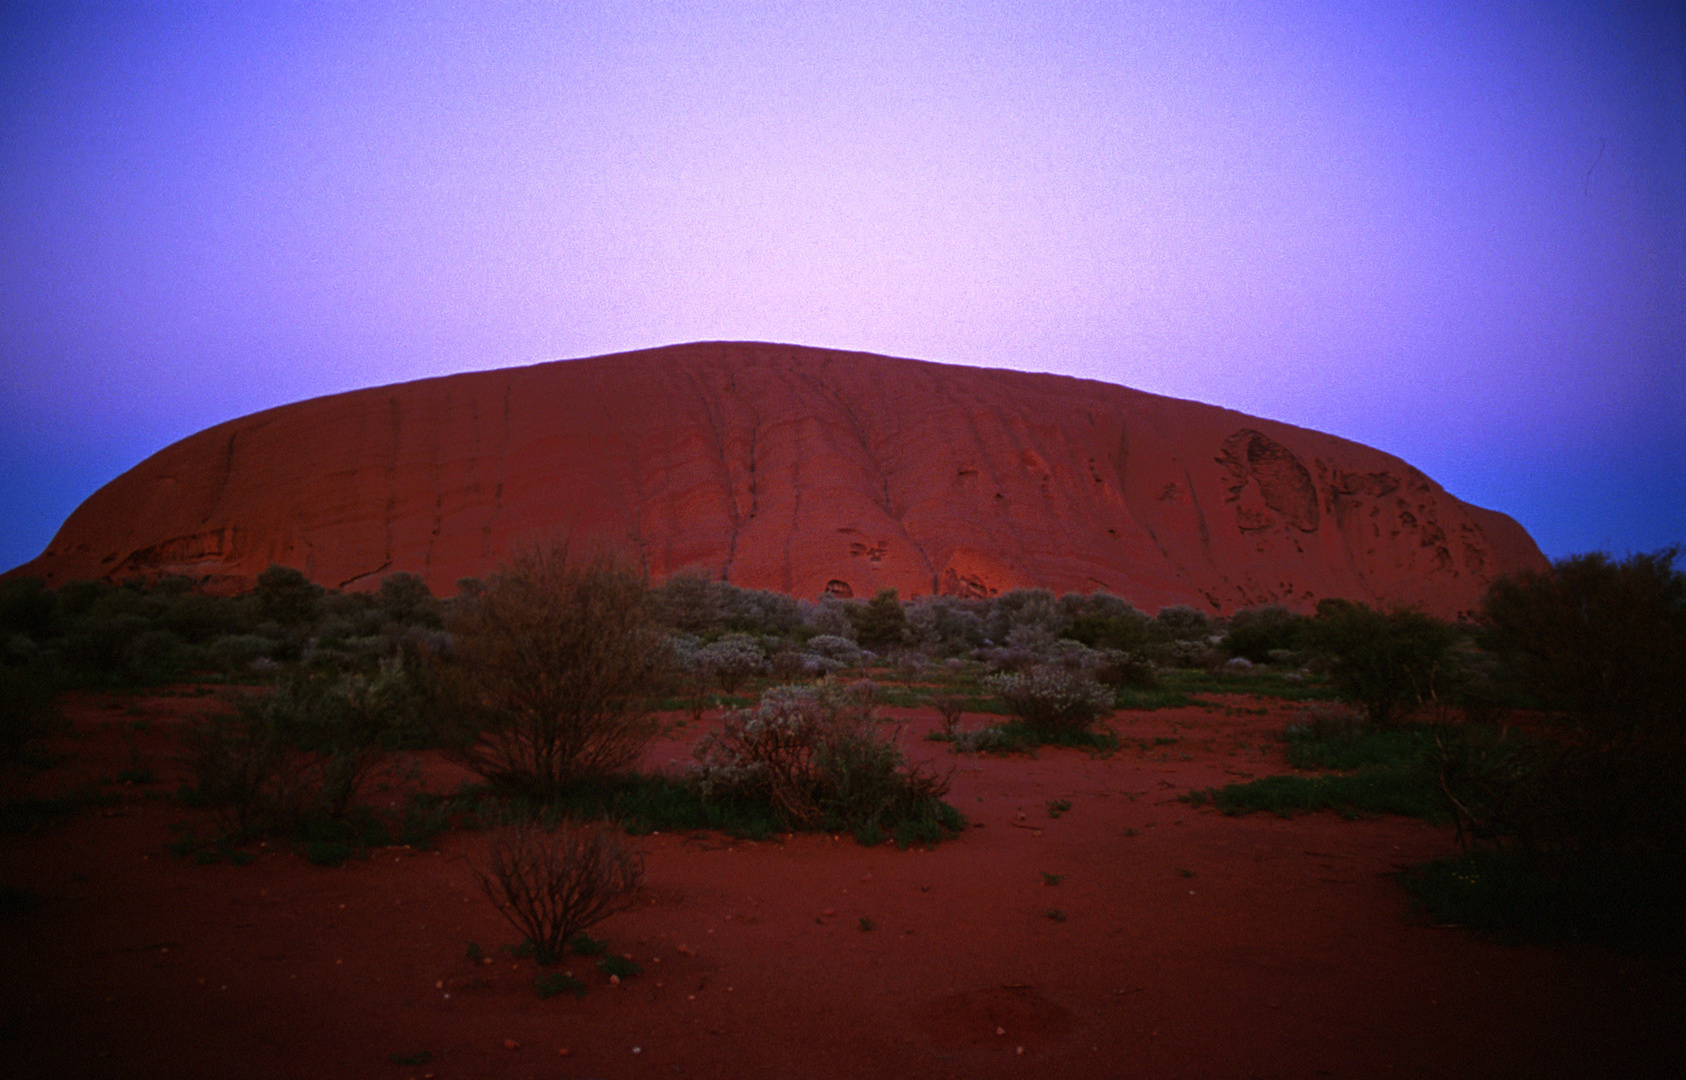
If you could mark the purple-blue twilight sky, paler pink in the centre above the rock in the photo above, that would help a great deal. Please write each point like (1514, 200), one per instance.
(1452, 232)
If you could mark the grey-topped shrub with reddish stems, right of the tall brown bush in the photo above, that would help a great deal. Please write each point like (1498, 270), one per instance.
(815, 756)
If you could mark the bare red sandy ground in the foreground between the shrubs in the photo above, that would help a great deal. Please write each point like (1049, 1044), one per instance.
(1191, 944)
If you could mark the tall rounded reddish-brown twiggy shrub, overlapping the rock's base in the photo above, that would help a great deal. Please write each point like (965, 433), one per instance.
(550, 676)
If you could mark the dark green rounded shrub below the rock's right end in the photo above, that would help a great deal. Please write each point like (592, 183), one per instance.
(1388, 663)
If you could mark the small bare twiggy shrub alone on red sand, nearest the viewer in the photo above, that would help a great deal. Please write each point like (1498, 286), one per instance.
(552, 885)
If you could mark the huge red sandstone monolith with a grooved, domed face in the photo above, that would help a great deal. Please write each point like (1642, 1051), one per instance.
(798, 471)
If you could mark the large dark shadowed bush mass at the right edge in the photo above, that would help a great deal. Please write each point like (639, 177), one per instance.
(1594, 810)
